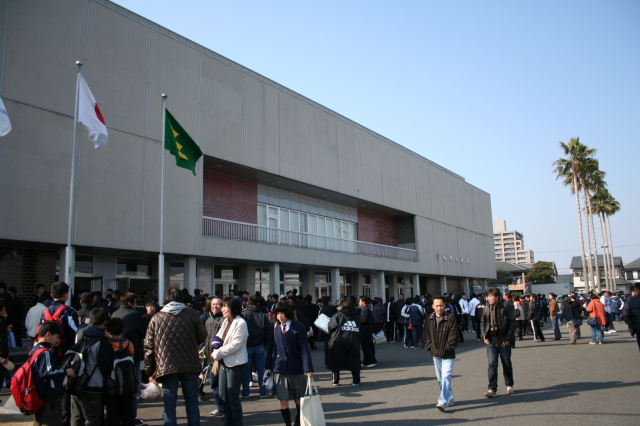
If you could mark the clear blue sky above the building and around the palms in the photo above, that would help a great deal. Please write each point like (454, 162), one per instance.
(485, 89)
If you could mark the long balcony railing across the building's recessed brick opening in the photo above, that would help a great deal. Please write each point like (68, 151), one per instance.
(221, 228)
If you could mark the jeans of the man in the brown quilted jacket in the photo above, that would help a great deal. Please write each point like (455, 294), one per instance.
(189, 382)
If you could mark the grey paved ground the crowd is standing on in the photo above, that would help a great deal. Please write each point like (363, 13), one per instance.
(555, 383)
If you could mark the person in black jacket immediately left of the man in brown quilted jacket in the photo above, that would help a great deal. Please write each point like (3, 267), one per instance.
(135, 328)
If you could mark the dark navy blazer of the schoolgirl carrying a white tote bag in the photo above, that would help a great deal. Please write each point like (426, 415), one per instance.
(289, 353)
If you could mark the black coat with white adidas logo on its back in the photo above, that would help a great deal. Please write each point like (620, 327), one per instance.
(344, 342)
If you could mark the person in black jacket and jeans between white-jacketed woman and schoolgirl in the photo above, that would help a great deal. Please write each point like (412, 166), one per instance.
(259, 328)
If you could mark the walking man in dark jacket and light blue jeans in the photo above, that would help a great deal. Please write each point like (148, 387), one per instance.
(441, 339)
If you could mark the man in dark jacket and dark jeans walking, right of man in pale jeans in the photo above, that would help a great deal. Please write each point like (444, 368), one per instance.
(498, 326)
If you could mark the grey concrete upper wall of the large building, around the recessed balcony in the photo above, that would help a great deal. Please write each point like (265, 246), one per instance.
(234, 114)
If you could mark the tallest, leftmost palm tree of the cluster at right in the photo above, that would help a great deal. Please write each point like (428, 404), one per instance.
(569, 169)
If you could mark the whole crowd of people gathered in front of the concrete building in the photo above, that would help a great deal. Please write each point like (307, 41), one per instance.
(223, 348)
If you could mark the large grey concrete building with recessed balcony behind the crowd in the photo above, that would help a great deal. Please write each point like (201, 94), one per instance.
(288, 194)
